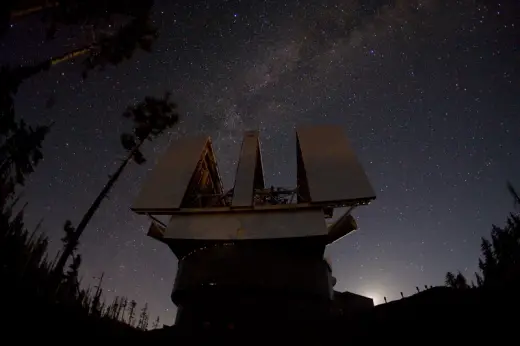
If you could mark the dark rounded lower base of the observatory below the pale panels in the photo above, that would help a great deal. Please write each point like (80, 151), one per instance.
(251, 282)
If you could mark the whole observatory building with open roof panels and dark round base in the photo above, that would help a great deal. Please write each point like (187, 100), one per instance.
(253, 253)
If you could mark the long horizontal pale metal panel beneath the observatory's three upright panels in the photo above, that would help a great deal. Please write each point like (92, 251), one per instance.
(247, 225)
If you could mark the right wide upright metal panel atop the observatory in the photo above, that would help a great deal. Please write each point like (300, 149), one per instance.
(333, 171)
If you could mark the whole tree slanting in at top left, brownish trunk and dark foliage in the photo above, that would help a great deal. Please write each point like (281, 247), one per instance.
(110, 44)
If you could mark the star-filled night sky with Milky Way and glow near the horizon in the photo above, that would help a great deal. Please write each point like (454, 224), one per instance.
(426, 91)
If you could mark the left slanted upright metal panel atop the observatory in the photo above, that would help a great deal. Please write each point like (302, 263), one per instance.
(166, 185)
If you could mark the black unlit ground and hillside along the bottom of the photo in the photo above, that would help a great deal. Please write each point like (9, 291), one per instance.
(439, 314)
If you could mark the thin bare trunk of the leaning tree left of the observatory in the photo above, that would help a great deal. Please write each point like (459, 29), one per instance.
(69, 248)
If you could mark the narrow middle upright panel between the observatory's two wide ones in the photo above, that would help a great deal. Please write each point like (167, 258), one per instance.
(249, 171)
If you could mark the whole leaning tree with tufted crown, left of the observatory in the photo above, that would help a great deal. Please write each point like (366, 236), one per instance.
(150, 118)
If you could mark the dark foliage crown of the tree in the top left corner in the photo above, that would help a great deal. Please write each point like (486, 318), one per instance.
(117, 28)
